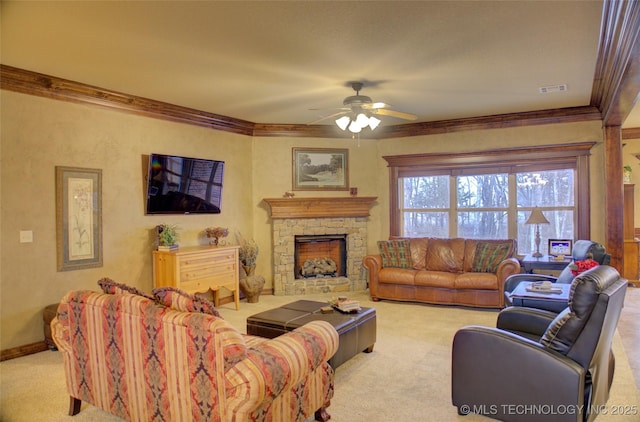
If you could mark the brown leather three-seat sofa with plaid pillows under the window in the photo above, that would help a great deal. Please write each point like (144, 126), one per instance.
(459, 271)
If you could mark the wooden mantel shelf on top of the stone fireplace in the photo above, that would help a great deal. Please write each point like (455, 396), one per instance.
(329, 207)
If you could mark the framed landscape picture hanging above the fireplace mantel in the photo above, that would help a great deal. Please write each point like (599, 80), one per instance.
(320, 169)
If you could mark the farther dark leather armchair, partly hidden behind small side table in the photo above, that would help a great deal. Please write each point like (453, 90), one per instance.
(582, 249)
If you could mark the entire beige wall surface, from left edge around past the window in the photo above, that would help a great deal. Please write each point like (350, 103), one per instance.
(38, 134)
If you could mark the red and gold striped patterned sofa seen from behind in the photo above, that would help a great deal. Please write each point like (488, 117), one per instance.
(170, 356)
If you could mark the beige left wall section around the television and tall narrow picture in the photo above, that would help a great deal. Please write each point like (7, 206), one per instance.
(39, 134)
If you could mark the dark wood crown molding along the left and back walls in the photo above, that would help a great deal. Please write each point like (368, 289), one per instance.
(38, 84)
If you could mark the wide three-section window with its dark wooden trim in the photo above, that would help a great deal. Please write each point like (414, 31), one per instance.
(489, 198)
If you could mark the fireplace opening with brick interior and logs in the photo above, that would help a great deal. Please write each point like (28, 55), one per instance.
(323, 255)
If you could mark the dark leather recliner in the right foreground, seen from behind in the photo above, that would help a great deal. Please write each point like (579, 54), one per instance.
(537, 365)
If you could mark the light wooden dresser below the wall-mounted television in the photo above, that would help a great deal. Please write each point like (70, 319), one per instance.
(197, 269)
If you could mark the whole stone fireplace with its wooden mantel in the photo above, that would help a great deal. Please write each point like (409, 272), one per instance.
(320, 225)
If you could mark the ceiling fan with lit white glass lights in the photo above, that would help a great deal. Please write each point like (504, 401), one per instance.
(360, 111)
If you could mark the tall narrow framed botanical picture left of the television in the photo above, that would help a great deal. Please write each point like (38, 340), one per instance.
(78, 218)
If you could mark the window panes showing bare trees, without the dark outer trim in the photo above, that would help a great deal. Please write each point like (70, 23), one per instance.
(483, 206)
